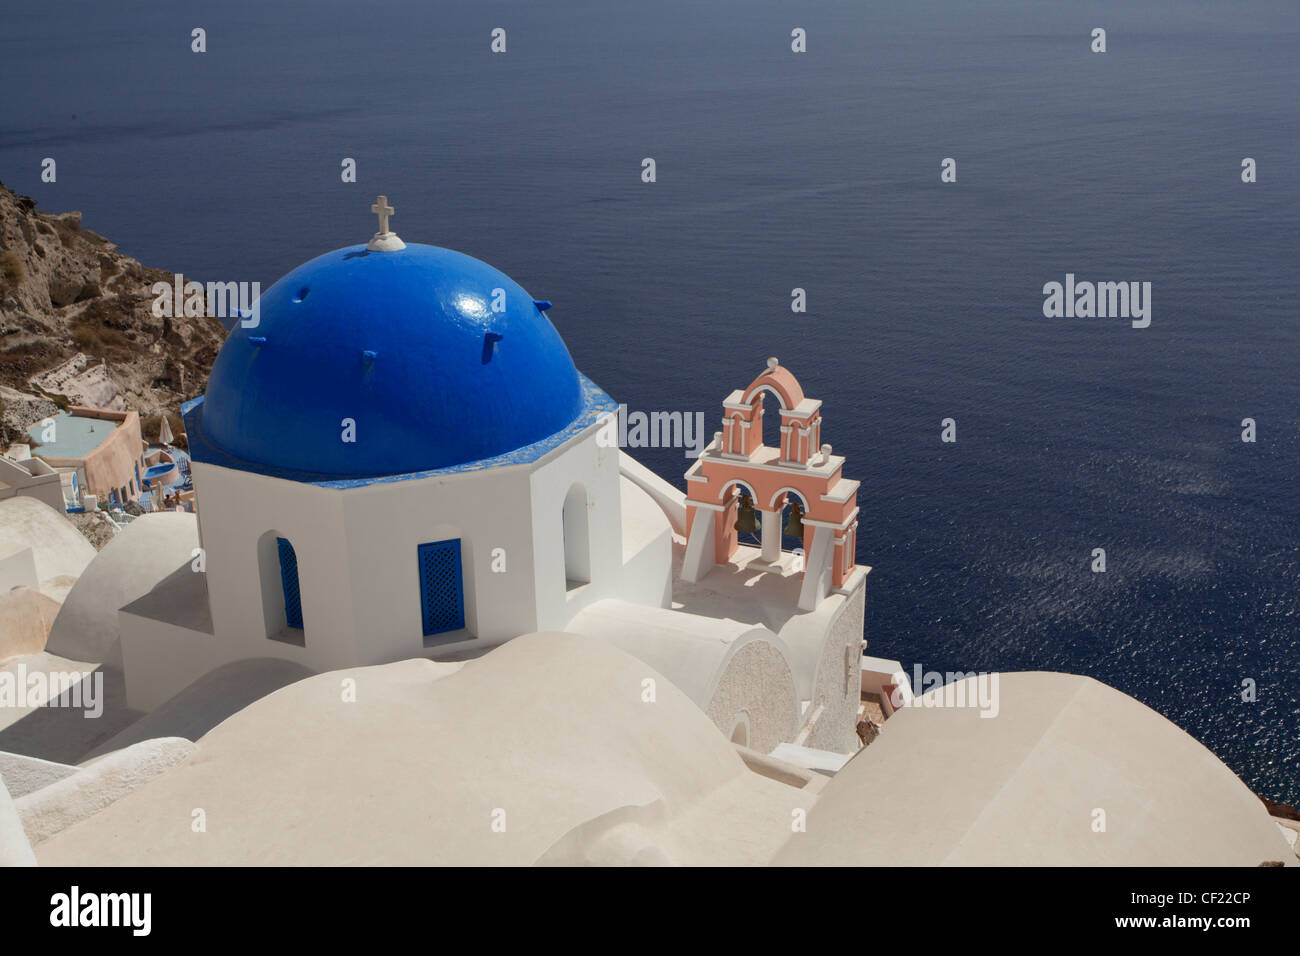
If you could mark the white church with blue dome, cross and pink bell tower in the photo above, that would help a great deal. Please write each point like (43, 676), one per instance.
(400, 460)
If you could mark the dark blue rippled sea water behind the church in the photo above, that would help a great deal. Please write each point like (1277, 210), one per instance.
(818, 171)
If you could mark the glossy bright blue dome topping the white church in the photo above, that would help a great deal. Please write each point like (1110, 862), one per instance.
(408, 347)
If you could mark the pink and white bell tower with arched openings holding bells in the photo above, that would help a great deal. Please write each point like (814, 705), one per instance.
(738, 464)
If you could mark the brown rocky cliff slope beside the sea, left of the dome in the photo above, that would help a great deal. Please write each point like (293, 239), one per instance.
(77, 326)
